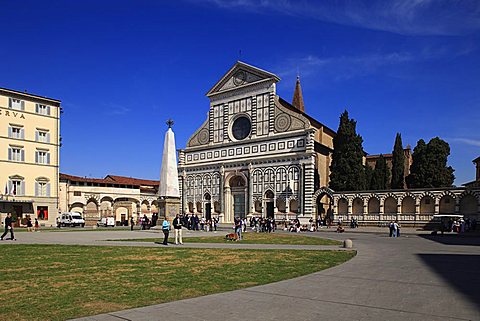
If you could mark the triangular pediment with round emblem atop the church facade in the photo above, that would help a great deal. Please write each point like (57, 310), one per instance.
(239, 76)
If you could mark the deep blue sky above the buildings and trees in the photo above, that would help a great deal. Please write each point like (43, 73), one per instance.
(121, 68)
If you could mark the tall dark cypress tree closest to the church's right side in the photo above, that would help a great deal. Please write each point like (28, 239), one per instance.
(347, 172)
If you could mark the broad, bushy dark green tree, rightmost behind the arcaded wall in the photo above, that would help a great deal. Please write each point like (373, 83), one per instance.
(429, 168)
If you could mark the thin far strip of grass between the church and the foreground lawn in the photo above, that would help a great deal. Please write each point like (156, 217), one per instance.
(249, 238)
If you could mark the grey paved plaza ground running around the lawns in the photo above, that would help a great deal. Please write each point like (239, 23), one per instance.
(415, 277)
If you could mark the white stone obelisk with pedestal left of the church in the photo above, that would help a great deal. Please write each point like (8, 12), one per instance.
(168, 189)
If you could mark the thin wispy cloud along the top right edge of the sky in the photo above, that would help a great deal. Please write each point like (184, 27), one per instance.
(408, 17)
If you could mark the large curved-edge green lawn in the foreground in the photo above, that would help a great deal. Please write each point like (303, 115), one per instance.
(56, 282)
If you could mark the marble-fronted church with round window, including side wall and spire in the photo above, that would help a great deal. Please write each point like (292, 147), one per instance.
(255, 154)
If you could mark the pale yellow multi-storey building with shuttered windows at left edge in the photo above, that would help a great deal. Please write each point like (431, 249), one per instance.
(29, 156)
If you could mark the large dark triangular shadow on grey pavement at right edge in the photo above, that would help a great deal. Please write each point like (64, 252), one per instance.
(460, 271)
